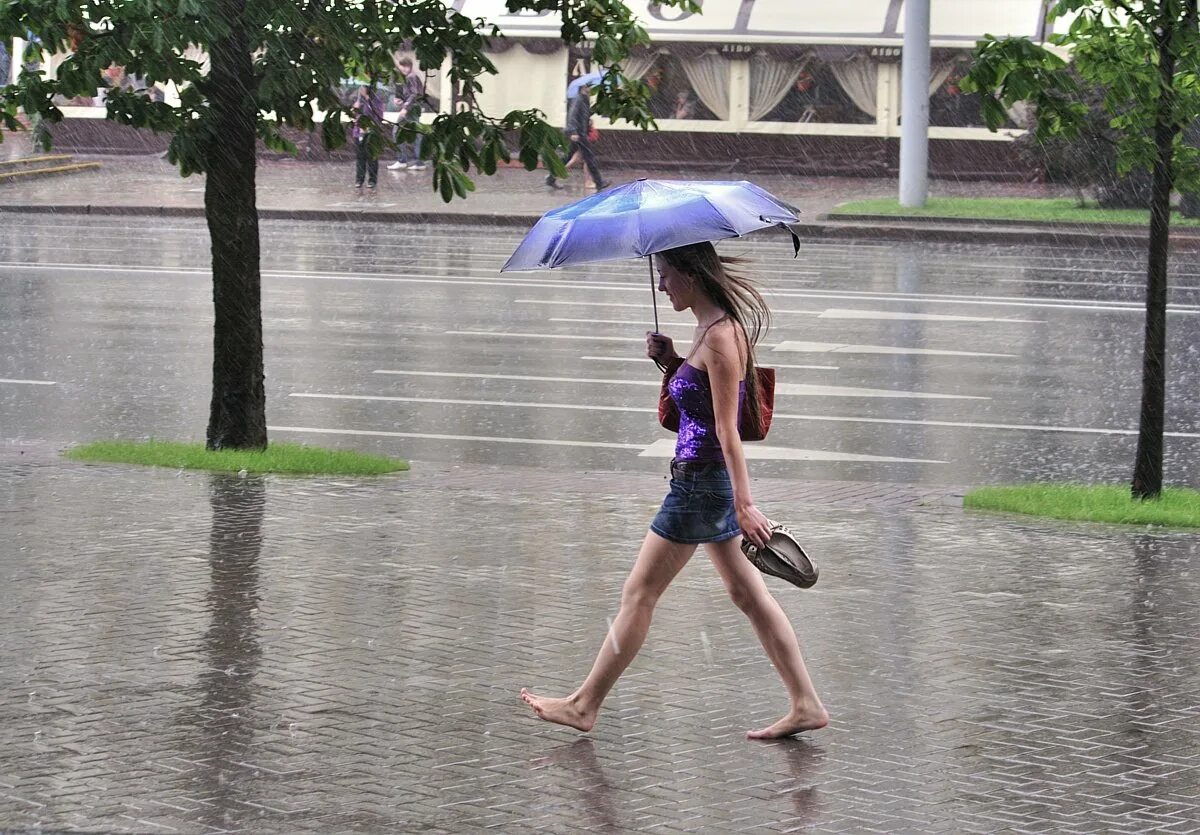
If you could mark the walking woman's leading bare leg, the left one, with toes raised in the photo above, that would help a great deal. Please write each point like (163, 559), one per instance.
(658, 563)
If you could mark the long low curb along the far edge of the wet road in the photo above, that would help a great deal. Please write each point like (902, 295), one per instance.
(857, 227)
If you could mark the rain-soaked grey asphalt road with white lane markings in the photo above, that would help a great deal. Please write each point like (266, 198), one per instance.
(932, 364)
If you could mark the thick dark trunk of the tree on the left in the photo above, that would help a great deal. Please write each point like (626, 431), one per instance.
(238, 415)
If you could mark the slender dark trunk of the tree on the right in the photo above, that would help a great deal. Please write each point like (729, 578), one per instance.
(1148, 474)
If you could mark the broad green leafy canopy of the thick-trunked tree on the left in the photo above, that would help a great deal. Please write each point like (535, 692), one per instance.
(303, 50)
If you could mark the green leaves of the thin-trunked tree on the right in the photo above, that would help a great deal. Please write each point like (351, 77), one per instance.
(1114, 46)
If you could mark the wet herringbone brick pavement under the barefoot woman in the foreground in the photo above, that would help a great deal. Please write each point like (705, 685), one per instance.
(197, 653)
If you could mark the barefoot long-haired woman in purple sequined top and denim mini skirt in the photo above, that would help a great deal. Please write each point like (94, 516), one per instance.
(710, 501)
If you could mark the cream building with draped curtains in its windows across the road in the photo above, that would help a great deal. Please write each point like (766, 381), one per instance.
(748, 85)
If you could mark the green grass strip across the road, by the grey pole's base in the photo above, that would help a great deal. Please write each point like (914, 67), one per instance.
(1064, 209)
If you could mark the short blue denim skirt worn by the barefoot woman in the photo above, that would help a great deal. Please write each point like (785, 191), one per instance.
(699, 508)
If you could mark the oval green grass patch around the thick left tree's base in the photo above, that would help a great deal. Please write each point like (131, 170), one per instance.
(291, 459)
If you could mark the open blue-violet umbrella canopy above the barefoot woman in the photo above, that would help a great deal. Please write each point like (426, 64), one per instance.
(647, 217)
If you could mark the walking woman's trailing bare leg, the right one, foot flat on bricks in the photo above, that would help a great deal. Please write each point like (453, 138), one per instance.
(777, 636)
